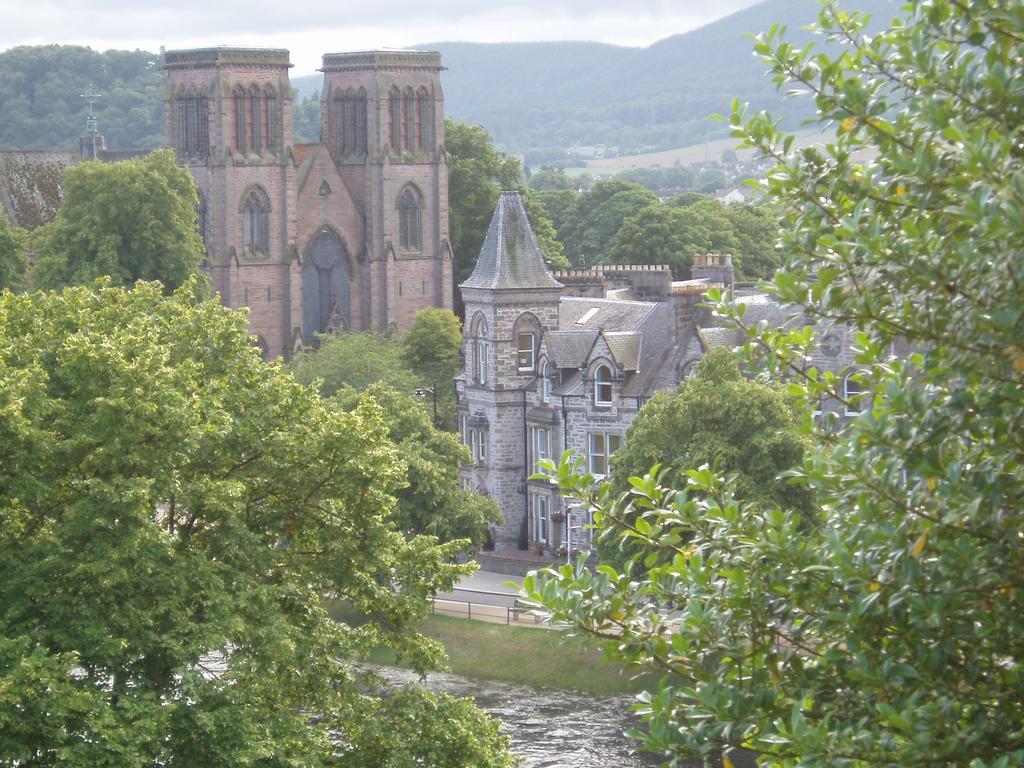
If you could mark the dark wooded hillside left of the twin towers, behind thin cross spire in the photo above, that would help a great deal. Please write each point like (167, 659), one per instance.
(41, 104)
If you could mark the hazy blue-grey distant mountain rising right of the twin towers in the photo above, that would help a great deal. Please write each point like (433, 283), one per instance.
(532, 96)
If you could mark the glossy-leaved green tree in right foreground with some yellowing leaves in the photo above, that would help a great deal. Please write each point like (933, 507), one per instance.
(886, 628)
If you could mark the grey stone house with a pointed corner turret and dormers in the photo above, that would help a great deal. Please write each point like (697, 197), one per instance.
(564, 362)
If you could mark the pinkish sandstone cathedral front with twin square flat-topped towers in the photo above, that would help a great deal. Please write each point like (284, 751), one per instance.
(351, 233)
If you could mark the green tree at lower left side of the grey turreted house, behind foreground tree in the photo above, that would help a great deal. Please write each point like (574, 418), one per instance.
(432, 503)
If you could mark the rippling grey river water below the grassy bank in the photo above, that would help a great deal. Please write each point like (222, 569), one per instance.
(549, 729)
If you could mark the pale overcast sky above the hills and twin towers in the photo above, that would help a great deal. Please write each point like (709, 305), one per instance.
(315, 27)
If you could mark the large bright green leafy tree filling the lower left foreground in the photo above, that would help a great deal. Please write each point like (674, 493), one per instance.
(173, 514)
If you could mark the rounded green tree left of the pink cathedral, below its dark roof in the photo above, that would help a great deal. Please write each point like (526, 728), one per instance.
(133, 221)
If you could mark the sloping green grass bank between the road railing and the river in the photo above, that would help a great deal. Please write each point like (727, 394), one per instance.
(518, 655)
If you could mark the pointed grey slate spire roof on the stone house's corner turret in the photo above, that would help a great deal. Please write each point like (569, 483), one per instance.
(510, 259)
